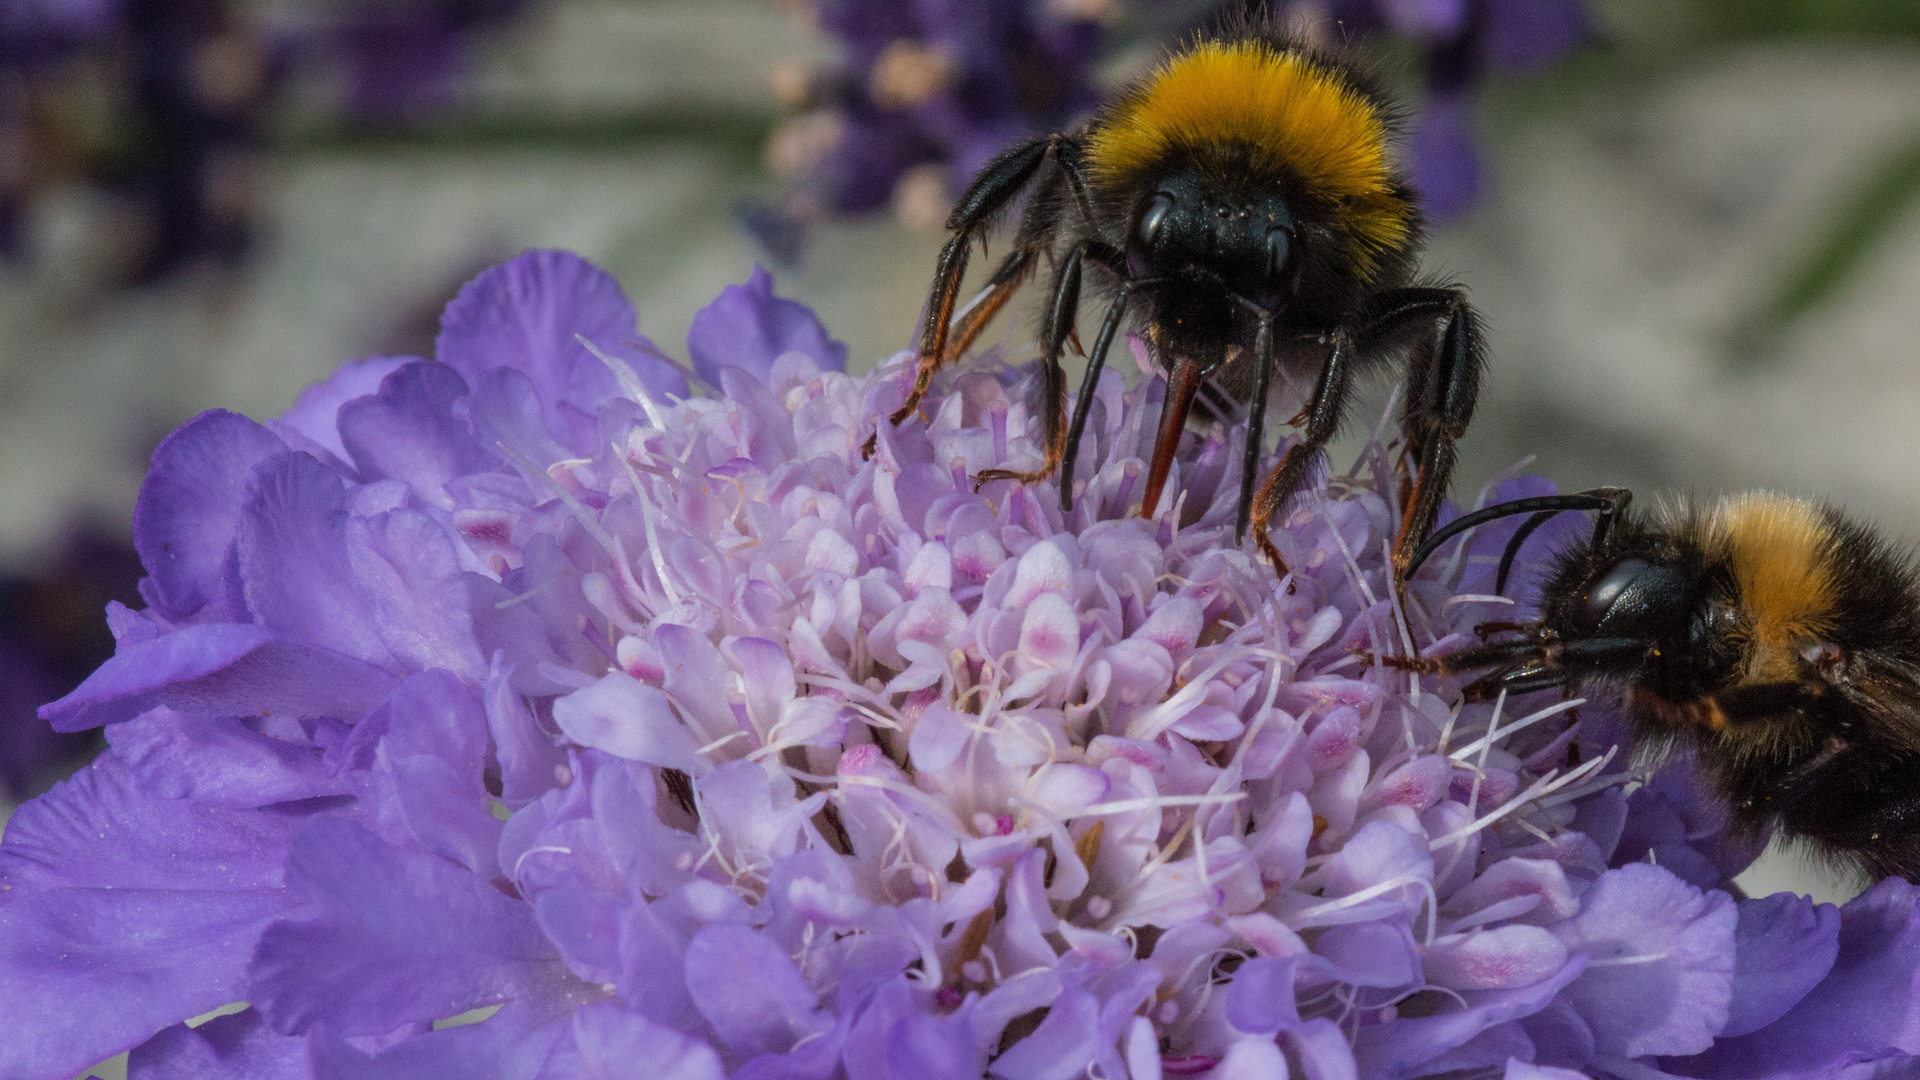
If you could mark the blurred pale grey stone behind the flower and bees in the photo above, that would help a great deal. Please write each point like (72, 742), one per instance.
(1631, 230)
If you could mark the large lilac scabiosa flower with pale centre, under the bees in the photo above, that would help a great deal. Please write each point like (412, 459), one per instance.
(692, 745)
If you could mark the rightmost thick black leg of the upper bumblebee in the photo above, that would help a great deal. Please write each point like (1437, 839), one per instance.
(1443, 387)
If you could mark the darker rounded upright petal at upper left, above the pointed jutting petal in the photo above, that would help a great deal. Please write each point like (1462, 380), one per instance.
(189, 508)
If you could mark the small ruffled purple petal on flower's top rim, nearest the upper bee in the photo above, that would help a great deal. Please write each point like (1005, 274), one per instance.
(750, 328)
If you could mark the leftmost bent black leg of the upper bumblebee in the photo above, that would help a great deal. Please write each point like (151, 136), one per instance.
(980, 205)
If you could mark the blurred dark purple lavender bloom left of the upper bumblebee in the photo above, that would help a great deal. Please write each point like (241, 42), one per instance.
(921, 99)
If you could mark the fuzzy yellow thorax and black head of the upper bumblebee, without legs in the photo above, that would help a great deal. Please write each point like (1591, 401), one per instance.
(1259, 159)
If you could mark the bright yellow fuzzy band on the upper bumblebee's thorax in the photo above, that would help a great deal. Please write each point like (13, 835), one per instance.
(1285, 110)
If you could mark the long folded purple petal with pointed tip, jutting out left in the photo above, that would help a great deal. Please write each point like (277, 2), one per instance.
(222, 670)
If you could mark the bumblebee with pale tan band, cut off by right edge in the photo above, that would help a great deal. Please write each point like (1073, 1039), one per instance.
(1775, 637)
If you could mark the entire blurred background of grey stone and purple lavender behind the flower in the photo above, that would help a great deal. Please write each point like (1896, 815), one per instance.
(1694, 226)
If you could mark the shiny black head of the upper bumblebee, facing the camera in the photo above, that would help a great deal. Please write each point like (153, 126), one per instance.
(1186, 230)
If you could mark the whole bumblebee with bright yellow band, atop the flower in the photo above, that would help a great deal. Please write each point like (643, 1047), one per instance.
(1243, 209)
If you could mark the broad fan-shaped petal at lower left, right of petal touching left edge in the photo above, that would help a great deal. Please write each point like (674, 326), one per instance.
(398, 939)
